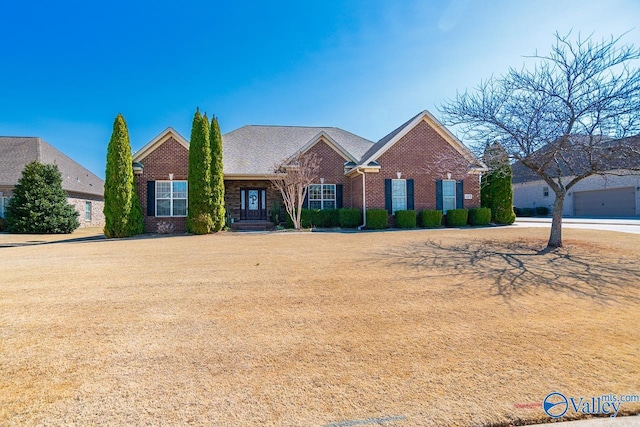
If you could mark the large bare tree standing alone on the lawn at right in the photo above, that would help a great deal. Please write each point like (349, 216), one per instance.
(564, 120)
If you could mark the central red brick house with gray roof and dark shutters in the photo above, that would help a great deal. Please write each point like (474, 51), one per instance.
(419, 165)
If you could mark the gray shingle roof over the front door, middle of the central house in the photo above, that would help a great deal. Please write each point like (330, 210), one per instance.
(256, 150)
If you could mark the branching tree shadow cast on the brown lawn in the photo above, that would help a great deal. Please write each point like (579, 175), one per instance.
(515, 268)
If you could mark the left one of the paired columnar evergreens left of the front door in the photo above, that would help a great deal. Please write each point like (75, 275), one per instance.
(199, 220)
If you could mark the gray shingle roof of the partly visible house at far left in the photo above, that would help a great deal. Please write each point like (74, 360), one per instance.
(16, 152)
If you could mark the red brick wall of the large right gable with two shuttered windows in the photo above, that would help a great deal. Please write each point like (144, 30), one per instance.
(418, 156)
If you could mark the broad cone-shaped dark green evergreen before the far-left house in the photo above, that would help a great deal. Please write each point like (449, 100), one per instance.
(39, 204)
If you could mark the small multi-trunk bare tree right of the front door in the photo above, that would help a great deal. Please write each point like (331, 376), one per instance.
(292, 180)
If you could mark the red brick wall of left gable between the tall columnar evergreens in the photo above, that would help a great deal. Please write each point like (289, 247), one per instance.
(169, 157)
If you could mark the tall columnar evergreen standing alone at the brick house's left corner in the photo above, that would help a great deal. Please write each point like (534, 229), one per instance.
(122, 212)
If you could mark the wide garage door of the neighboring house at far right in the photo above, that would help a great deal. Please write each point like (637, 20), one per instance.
(611, 202)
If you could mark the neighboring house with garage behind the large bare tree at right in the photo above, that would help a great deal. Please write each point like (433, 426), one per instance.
(614, 195)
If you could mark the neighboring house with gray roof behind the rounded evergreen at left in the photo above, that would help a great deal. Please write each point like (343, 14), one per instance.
(84, 189)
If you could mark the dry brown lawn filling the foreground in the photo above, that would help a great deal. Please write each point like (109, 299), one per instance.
(446, 327)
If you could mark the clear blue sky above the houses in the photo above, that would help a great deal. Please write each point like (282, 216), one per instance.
(68, 68)
